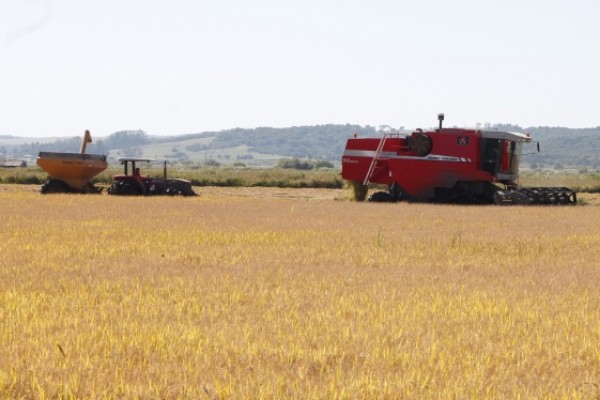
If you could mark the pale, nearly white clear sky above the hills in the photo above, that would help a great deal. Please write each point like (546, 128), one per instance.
(184, 66)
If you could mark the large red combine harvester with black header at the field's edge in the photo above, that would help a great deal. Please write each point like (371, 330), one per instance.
(446, 165)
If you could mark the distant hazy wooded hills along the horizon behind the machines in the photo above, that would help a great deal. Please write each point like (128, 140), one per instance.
(560, 147)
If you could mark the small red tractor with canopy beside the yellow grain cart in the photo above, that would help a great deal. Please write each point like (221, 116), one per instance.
(132, 183)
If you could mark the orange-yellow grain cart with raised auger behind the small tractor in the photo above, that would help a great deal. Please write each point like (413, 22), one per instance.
(71, 172)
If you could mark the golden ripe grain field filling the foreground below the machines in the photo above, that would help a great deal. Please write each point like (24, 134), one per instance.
(292, 294)
